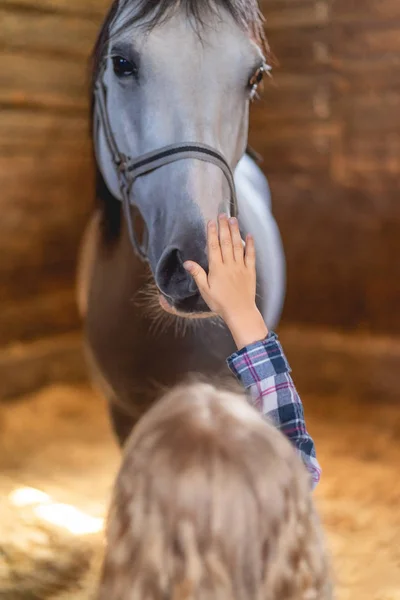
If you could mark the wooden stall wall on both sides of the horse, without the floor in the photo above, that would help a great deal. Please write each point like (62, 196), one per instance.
(329, 129)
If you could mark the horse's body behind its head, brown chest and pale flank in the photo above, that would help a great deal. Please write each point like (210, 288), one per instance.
(135, 351)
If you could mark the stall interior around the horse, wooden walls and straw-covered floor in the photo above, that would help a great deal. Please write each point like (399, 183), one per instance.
(328, 129)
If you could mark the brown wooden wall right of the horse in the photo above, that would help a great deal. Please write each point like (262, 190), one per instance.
(329, 130)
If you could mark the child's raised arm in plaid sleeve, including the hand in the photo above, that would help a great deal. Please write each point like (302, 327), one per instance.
(259, 364)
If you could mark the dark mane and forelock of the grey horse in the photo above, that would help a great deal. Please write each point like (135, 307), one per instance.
(150, 13)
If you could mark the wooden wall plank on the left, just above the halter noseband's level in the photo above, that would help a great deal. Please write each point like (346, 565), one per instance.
(24, 132)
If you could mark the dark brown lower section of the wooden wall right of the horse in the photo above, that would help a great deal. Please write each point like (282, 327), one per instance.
(338, 232)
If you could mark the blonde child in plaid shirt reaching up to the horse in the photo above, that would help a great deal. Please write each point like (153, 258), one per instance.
(211, 501)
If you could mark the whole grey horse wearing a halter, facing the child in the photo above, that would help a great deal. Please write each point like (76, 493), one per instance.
(171, 88)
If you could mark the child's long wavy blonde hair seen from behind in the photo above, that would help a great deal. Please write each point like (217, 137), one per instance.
(211, 503)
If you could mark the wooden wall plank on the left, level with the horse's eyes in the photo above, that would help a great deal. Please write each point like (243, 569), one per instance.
(45, 81)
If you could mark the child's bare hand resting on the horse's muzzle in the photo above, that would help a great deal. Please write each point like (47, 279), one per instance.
(230, 287)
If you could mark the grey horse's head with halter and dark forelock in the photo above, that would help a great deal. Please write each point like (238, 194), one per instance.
(175, 75)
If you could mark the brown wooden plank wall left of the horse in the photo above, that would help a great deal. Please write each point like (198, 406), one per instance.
(45, 176)
